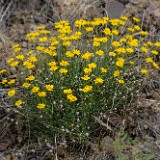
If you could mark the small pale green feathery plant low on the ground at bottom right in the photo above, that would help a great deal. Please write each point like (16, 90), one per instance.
(126, 148)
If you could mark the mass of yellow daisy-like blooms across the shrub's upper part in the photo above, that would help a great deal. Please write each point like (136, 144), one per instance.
(83, 56)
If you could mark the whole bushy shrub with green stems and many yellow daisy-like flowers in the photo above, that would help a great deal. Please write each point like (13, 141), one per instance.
(73, 72)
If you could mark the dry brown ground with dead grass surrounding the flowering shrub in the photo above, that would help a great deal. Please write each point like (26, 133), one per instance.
(140, 120)
